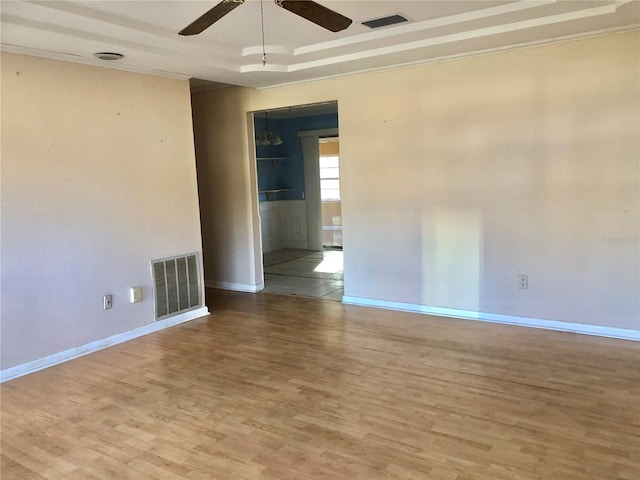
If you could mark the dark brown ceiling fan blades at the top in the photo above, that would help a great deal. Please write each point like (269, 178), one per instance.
(312, 11)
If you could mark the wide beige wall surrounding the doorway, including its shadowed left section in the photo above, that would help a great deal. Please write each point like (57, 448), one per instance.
(459, 176)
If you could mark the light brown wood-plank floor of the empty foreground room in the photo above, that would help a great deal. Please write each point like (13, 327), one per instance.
(283, 388)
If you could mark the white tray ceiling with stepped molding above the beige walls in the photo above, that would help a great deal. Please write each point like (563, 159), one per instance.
(230, 51)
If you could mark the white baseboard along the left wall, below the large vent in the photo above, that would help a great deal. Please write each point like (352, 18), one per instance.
(66, 355)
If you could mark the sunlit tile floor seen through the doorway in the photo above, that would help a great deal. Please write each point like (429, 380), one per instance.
(304, 272)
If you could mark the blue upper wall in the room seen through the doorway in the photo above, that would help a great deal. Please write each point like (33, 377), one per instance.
(290, 173)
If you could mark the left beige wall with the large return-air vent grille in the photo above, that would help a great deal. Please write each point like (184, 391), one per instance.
(98, 178)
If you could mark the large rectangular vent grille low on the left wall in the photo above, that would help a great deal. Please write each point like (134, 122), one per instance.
(176, 285)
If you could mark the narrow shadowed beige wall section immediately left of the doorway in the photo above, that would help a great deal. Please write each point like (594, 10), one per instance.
(229, 206)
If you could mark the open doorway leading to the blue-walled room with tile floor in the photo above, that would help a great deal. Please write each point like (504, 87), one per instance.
(301, 230)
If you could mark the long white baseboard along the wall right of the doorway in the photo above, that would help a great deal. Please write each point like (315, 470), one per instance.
(622, 333)
